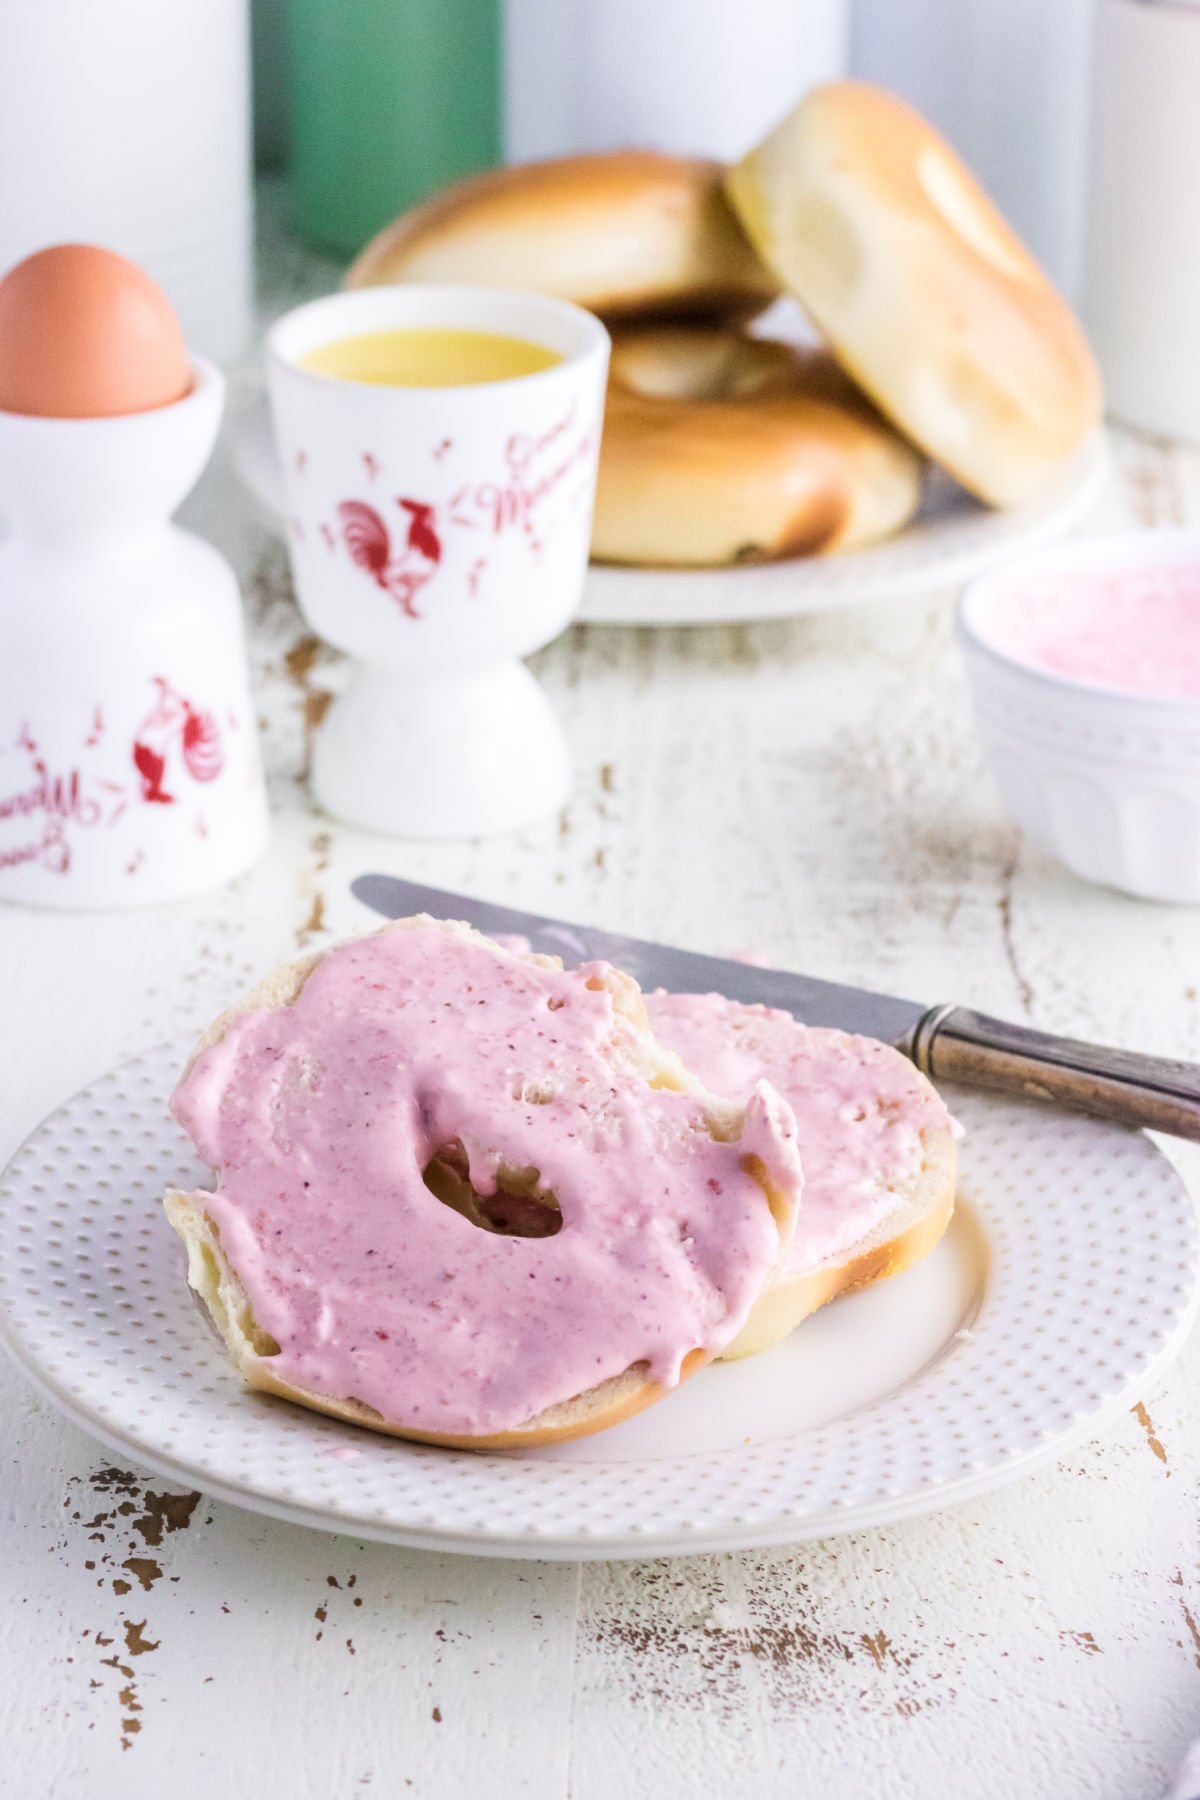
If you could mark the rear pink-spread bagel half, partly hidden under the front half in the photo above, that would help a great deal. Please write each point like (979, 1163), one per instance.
(877, 1147)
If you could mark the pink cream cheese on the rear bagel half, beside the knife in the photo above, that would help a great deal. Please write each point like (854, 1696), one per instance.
(861, 1108)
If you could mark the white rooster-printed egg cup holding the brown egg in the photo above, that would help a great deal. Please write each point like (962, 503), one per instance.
(129, 746)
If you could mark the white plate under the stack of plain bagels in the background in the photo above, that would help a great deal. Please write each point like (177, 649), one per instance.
(953, 539)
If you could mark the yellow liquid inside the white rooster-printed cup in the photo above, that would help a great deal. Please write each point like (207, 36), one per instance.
(429, 359)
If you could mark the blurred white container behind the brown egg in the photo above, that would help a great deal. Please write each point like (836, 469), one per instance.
(127, 123)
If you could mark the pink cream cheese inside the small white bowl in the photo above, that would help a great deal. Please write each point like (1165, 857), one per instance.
(1134, 629)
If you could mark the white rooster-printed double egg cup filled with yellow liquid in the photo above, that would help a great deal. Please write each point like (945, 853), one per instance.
(438, 535)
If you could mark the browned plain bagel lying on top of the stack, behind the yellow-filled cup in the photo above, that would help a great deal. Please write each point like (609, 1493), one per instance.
(627, 233)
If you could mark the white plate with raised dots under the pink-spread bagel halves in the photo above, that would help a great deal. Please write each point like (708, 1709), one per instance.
(1062, 1290)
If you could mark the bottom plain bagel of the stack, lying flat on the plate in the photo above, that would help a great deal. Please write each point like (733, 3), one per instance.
(722, 449)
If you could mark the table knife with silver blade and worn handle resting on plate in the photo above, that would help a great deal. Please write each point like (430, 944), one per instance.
(949, 1043)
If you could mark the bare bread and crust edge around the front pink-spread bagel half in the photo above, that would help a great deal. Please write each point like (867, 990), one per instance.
(217, 1282)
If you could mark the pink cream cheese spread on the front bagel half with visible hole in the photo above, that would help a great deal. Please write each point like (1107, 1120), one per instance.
(323, 1115)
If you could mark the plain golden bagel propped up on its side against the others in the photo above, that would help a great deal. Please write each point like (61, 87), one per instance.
(924, 291)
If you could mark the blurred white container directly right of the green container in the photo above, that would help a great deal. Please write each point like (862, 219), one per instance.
(703, 78)
